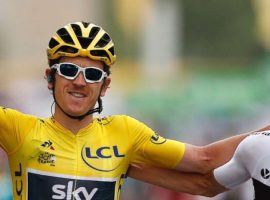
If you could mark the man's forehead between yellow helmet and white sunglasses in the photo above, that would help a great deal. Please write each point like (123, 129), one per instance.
(82, 61)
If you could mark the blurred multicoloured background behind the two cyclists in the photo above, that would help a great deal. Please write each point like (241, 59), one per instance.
(193, 71)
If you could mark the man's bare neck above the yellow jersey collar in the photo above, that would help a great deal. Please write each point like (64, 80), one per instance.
(74, 125)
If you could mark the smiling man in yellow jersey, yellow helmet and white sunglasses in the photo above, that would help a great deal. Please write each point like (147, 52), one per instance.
(73, 155)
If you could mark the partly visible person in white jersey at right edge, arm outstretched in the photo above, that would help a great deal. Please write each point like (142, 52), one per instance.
(250, 161)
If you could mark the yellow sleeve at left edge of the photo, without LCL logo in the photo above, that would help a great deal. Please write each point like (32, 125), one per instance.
(13, 128)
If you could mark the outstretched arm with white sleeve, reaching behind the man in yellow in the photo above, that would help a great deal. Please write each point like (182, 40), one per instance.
(231, 174)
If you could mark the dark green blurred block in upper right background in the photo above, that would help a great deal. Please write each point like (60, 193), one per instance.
(223, 29)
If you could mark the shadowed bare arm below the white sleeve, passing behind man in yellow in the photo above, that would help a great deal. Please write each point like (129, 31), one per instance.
(196, 184)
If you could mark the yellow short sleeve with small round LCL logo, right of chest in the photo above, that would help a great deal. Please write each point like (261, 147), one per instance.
(151, 148)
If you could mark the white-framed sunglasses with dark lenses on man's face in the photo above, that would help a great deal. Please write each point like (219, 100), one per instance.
(71, 71)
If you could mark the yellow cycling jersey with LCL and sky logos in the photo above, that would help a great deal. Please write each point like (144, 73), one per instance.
(47, 161)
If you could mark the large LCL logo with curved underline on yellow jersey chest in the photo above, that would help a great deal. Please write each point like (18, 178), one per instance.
(104, 158)
